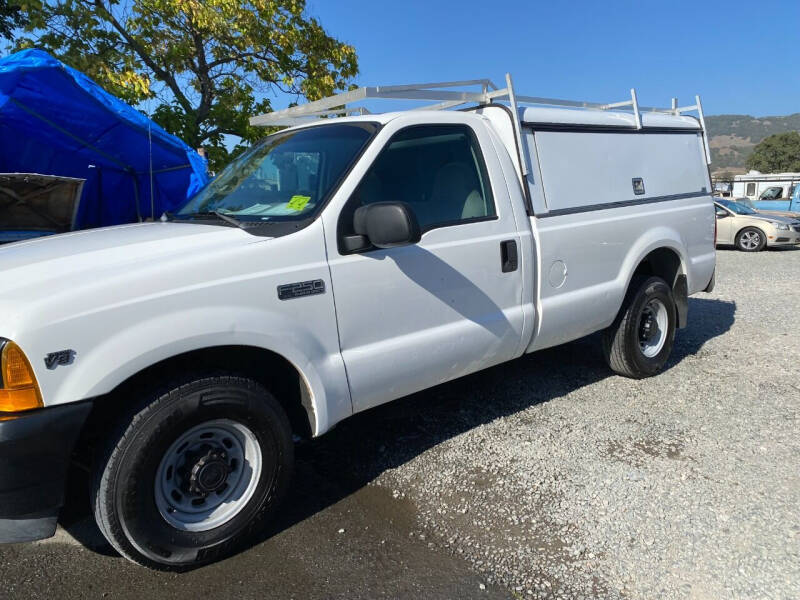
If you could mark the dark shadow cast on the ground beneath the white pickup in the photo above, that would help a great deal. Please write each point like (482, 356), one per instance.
(346, 459)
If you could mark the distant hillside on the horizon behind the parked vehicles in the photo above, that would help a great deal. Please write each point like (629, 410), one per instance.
(732, 137)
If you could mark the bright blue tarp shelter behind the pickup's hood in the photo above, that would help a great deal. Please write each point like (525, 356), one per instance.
(56, 121)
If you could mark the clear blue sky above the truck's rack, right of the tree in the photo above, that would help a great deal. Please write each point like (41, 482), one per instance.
(742, 57)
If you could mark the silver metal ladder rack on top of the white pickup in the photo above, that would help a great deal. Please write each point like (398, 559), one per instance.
(444, 98)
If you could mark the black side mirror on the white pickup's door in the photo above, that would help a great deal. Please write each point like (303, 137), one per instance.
(387, 224)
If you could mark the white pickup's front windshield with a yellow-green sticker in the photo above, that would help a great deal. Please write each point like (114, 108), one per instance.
(285, 177)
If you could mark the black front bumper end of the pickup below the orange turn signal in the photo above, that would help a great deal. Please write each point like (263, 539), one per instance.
(35, 450)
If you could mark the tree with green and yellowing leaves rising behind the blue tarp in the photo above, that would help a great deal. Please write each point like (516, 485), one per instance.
(207, 65)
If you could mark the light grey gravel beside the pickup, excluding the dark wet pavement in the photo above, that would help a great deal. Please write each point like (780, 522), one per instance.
(556, 479)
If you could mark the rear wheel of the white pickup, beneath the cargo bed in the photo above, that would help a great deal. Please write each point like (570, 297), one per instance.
(639, 341)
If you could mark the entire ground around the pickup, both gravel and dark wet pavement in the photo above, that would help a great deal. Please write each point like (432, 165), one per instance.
(545, 477)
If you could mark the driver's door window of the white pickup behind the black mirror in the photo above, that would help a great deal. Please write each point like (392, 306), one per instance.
(438, 170)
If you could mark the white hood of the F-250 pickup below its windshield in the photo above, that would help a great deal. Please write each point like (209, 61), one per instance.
(34, 270)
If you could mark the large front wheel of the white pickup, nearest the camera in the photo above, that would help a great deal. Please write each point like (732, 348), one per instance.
(193, 473)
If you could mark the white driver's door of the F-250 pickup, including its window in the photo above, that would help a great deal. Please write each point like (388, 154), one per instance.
(415, 316)
